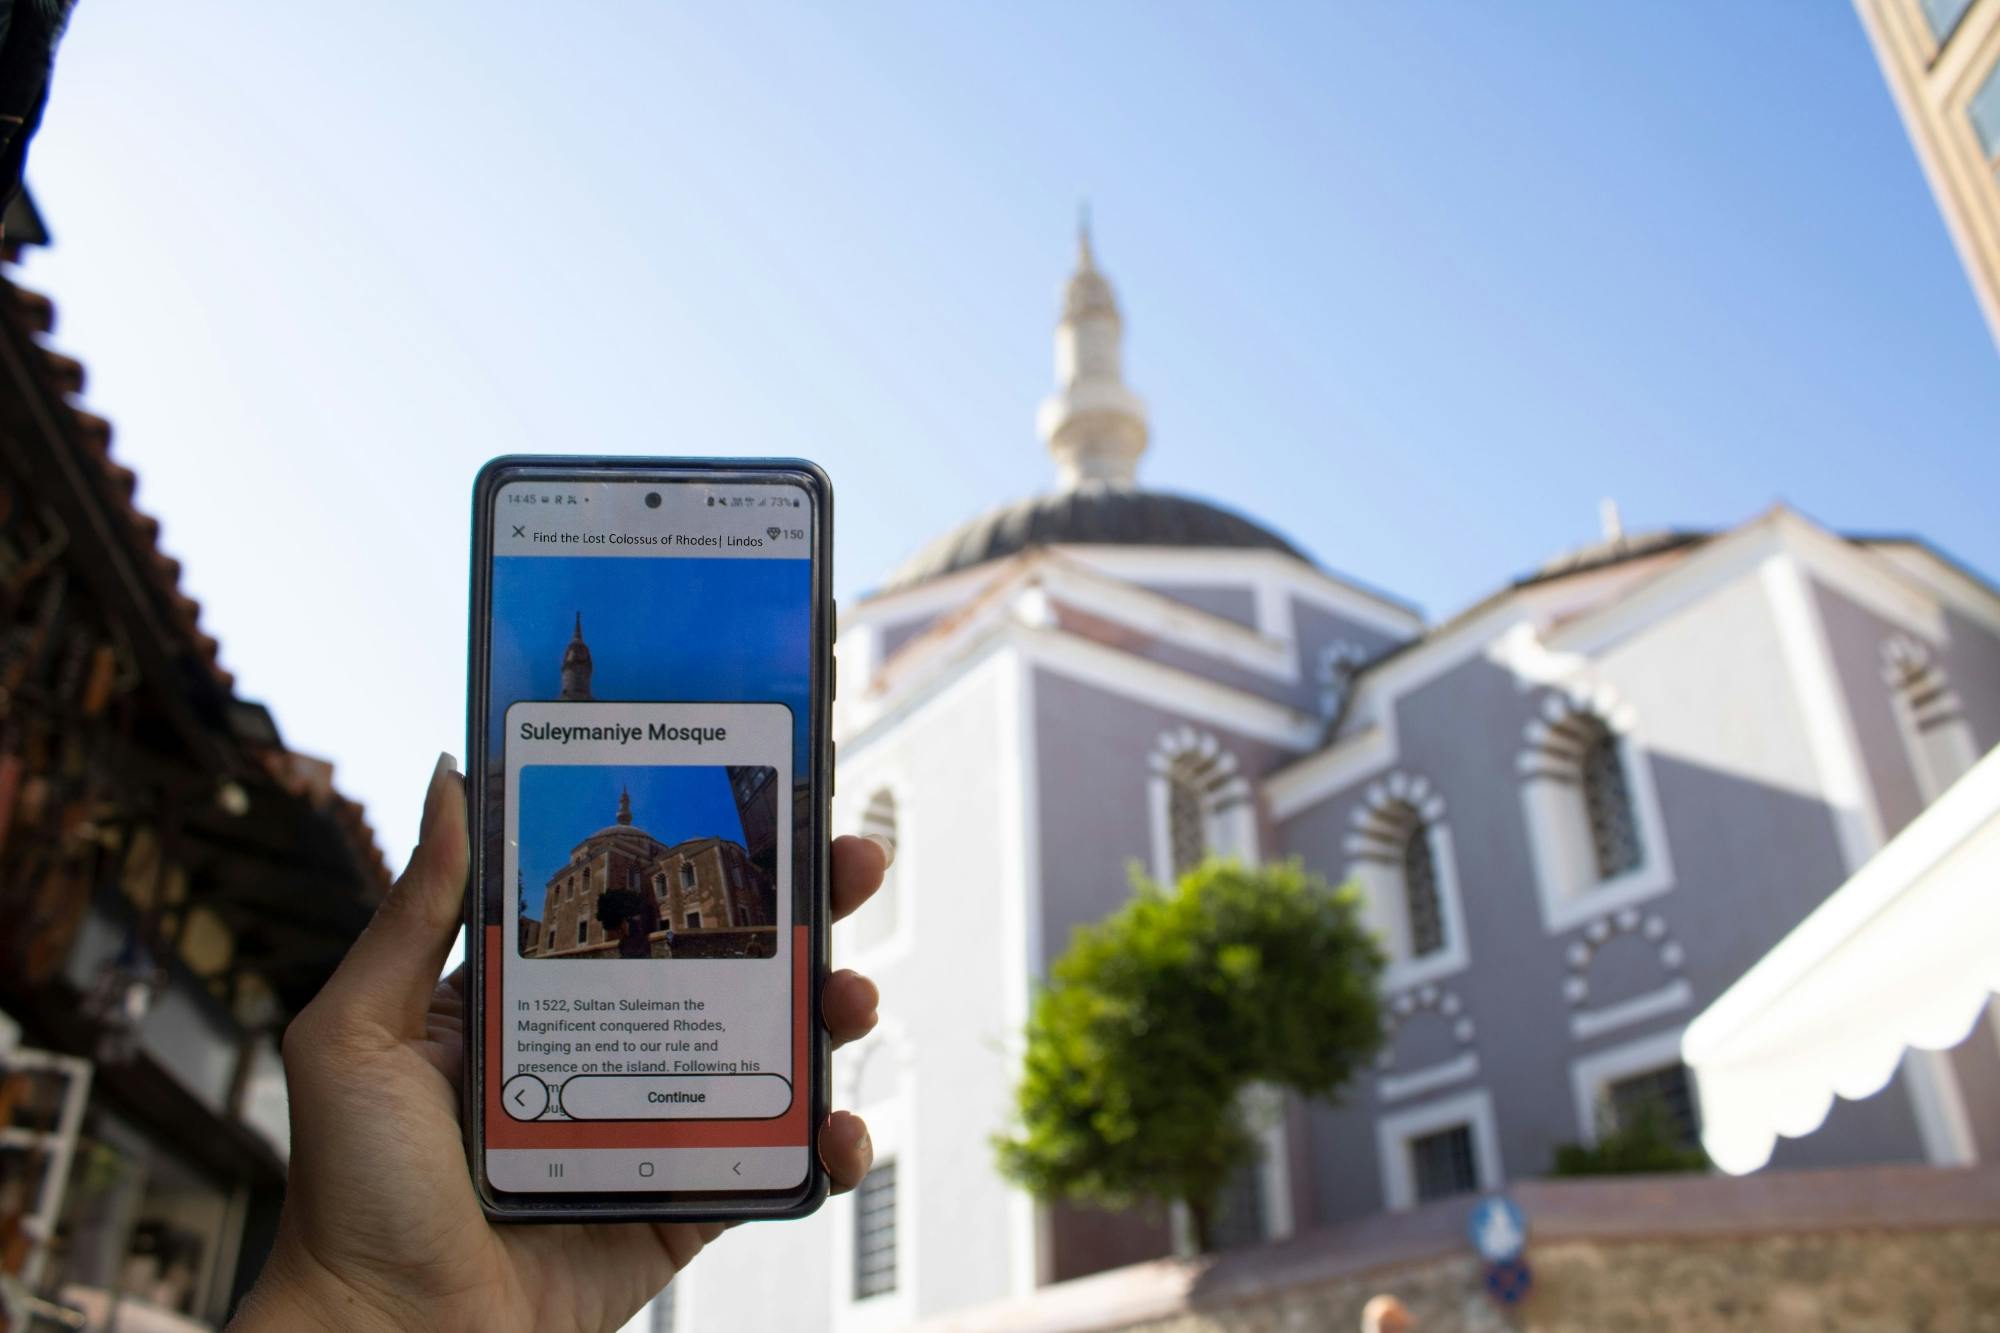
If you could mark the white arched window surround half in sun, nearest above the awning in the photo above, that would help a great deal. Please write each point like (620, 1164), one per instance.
(1559, 828)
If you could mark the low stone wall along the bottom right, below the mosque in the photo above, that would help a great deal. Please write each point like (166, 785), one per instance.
(1875, 1250)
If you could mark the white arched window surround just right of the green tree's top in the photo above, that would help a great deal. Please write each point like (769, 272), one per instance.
(1385, 820)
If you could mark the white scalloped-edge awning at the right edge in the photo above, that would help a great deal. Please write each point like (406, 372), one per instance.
(1903, 956)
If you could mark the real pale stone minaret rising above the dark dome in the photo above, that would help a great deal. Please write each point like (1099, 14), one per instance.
(1093, 423)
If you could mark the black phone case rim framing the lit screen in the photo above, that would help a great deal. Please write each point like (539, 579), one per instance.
(709, 1206)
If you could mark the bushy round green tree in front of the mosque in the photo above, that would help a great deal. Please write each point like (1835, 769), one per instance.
(1157, 1020)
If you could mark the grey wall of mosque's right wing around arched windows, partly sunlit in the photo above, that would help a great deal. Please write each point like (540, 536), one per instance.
(1751, 844)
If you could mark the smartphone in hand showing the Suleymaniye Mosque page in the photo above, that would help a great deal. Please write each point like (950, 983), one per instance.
(649, 776)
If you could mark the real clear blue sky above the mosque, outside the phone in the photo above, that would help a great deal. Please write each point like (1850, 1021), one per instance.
(1415, 283)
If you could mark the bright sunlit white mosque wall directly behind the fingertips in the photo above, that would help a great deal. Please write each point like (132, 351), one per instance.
(937, 1078)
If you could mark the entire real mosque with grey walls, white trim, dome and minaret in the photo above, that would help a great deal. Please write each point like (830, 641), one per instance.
(1579, 812)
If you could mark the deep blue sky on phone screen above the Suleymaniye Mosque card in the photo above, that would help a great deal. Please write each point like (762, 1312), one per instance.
(659, 629)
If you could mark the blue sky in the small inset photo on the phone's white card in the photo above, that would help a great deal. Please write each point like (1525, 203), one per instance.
(561, 806)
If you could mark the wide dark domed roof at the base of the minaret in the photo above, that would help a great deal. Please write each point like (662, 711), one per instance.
(1089, 515)
